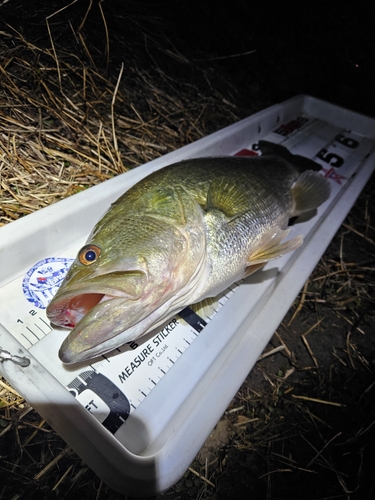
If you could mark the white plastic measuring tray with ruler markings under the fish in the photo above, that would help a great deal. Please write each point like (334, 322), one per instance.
(139, 416)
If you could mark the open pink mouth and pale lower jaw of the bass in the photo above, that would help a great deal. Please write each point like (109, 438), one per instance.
(98, 314)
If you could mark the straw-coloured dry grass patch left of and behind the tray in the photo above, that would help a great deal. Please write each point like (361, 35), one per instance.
(65, 126)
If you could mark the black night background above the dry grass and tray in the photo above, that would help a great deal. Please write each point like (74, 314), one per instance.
(326, 49)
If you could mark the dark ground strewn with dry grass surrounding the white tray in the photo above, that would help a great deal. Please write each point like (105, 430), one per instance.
(302, 424)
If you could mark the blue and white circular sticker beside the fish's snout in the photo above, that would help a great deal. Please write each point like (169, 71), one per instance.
(43, 280)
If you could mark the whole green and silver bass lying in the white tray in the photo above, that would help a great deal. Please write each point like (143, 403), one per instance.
(180, 235)
